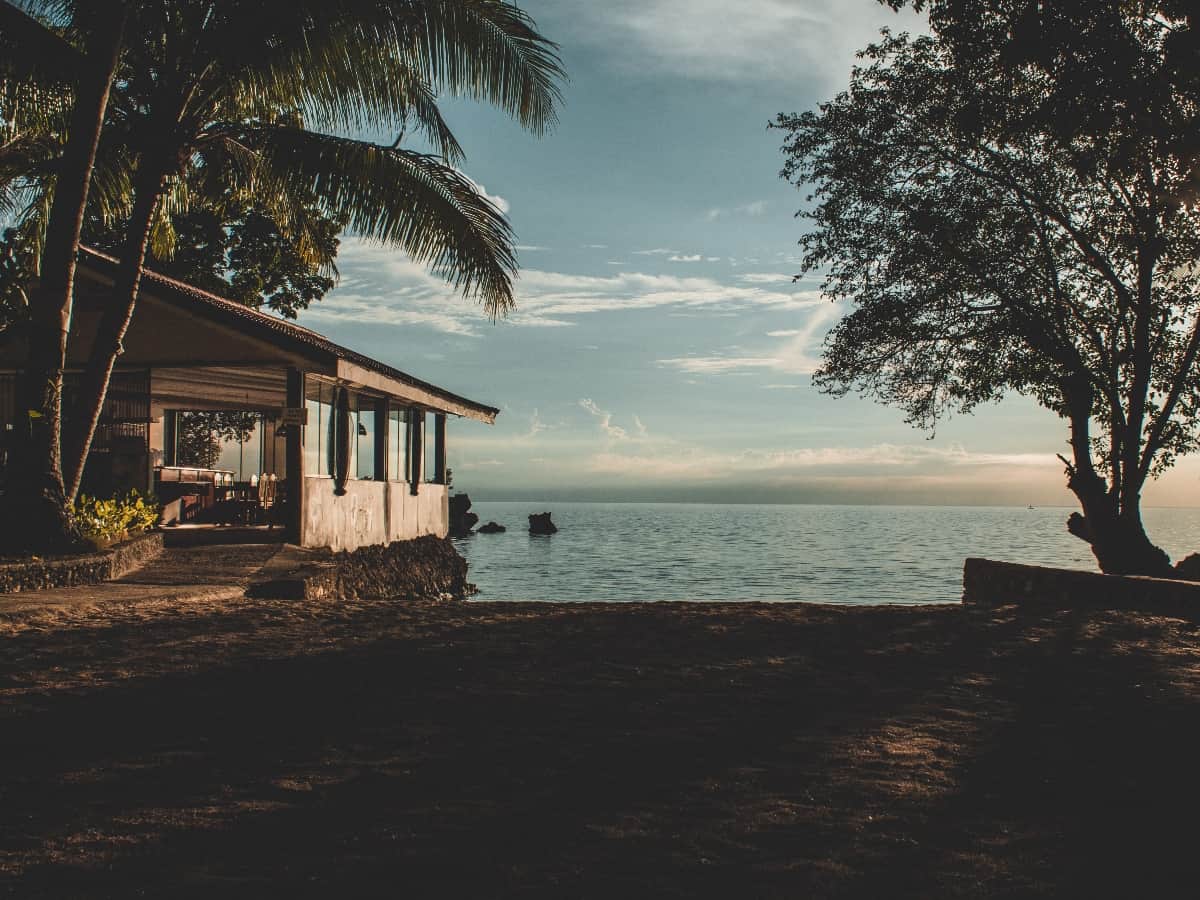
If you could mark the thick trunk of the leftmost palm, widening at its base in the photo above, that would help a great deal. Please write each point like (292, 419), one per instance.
(35, 511)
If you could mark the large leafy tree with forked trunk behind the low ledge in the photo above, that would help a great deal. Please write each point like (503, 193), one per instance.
(991, 249)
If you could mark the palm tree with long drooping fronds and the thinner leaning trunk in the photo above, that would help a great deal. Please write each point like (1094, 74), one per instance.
(219, 99)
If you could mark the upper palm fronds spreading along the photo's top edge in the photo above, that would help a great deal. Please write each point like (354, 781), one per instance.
(374, 64)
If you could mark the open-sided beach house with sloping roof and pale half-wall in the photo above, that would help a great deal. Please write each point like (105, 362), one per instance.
(337, 448)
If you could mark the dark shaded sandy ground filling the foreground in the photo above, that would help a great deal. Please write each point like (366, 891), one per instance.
(256, 749)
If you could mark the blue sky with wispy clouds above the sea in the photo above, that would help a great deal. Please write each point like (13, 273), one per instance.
(661, 350)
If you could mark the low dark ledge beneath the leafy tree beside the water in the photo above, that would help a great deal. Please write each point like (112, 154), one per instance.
(987, 583)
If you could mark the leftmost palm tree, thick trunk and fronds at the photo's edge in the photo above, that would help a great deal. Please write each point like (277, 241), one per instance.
(40, 68)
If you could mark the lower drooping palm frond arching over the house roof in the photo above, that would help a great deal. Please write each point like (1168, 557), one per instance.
(403, 199)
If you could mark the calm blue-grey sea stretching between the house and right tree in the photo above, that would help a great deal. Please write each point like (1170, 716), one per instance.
(843, 555)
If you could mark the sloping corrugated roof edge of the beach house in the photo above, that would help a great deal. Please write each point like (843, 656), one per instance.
(272, 328)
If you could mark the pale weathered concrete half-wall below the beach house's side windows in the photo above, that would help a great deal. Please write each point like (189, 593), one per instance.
(371, 513)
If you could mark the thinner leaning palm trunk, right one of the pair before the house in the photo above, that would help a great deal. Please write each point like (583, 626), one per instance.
(115, 323)
